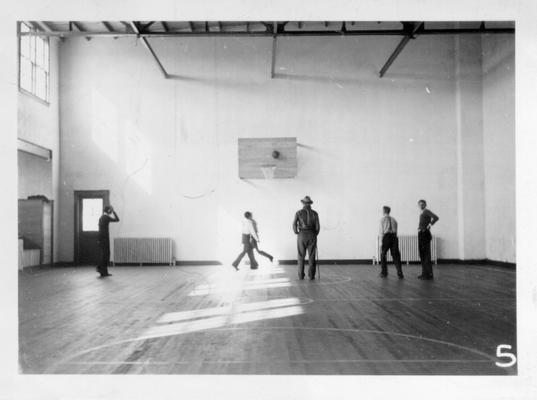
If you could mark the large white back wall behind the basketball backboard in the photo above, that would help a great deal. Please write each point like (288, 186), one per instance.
(167, 149)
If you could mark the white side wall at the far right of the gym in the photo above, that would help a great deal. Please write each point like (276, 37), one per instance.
(499, 146)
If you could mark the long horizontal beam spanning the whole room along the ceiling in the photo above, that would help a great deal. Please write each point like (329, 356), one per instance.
(374, 32)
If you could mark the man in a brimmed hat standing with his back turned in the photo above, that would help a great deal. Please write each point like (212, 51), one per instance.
(306, 226)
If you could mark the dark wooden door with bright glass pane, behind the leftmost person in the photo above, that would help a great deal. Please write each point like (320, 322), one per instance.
(89, 206)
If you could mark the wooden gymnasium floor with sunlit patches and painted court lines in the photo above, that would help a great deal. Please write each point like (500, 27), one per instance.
(213, 320)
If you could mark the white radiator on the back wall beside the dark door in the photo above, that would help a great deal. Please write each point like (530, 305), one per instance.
(143, 251)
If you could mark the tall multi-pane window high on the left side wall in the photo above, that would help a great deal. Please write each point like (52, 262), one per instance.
(34, 63)
